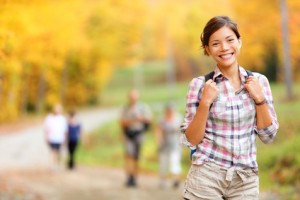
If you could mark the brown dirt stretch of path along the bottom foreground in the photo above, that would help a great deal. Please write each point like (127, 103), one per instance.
(82, 184)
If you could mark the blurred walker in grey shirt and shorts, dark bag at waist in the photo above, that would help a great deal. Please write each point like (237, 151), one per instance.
(135, 119)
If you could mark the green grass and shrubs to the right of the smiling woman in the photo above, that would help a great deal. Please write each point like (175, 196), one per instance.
(279, 161)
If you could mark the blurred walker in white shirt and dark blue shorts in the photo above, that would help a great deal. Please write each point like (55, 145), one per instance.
(55, 128)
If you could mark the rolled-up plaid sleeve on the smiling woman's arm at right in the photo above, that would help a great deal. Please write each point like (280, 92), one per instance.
(268, 134)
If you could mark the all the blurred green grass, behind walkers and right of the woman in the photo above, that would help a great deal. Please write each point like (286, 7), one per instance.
(105, 147)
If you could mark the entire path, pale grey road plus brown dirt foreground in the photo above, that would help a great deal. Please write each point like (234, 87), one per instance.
(25, 173)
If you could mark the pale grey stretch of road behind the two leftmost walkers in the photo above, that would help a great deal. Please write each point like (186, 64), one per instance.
(25, 148)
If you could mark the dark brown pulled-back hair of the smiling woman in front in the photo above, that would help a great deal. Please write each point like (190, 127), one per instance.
(215, 24)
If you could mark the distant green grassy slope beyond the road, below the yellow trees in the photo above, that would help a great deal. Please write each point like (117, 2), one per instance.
(154, 87)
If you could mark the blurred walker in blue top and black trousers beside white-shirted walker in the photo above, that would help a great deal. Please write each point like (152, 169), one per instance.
(73, 138)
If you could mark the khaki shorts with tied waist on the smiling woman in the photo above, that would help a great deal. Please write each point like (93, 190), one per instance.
(209, 181)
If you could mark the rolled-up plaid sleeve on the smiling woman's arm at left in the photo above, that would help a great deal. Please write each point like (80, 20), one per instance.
(192, 102)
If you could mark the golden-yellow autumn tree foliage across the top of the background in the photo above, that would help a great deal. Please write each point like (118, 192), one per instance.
(66, 51)
